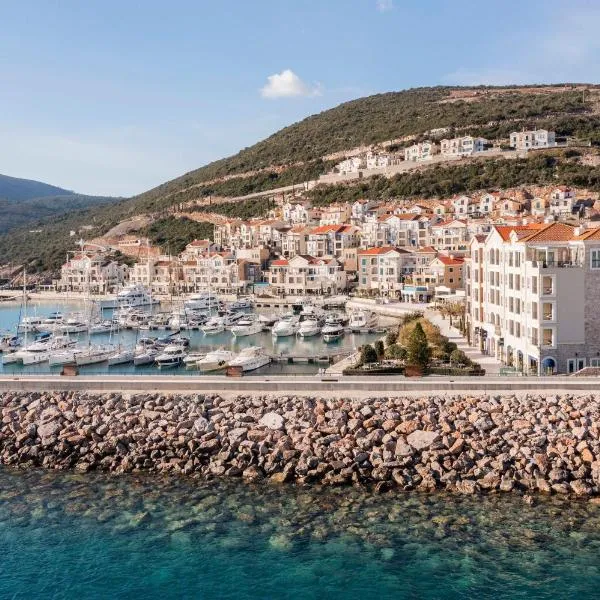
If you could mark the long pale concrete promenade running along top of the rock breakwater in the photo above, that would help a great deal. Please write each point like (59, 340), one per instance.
(358, 387)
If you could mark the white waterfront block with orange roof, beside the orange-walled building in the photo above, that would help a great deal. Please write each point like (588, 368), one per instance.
(384, 269)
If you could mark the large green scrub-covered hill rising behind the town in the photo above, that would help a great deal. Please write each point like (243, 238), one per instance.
(306, 149)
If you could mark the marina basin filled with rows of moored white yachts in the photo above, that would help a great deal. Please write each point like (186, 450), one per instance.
(172, 338)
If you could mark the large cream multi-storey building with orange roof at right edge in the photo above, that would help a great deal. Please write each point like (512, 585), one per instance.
(533, 293)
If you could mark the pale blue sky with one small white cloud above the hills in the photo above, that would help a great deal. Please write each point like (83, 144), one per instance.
(113, 97)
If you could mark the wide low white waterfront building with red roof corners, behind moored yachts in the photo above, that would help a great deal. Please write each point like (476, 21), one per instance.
(307, 275)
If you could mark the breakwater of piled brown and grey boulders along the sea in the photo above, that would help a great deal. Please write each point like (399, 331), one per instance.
(464, 444)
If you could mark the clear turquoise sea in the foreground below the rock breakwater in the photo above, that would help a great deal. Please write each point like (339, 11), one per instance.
(75, 536)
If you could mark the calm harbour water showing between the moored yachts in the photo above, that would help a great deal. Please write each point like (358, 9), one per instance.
(9, 318)
